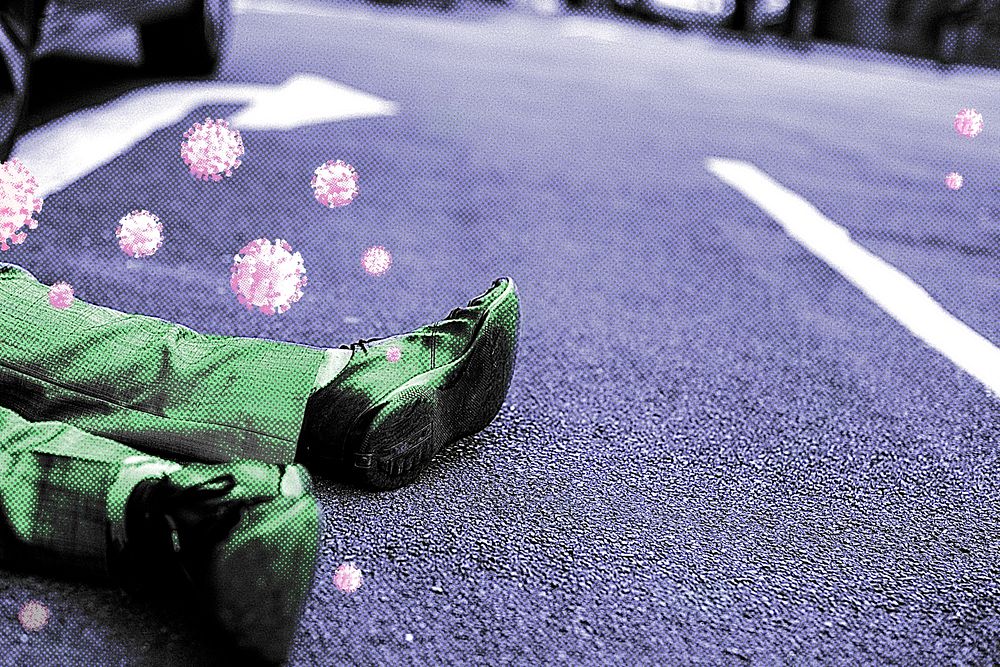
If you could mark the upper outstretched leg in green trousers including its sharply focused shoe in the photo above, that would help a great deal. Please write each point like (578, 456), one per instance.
(160, 387)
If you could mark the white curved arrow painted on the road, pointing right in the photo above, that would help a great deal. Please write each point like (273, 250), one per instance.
(61, 152)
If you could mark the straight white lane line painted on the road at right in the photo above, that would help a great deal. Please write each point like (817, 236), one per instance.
(891, 289)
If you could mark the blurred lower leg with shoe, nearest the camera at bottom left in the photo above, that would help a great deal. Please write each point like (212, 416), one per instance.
(243, 535)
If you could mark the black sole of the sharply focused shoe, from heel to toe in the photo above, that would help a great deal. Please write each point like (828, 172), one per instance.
(400, 436)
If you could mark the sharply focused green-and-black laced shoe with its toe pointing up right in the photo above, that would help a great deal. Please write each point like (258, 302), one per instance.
(401, 399)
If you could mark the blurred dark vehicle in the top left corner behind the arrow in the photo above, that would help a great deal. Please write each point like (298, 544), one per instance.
(184, 38)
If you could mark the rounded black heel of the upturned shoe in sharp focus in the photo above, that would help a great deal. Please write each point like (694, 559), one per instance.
(401, 439)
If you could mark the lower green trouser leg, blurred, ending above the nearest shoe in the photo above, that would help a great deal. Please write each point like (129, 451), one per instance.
(63, 494)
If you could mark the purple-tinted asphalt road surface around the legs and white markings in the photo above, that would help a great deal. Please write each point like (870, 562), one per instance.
(716, 449)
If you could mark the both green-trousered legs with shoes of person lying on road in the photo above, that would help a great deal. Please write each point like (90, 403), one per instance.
(140, 450)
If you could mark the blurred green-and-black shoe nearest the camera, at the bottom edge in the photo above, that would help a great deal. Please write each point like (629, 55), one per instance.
(242, 538)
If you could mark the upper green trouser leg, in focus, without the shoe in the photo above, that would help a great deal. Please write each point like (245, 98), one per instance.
(151, 384)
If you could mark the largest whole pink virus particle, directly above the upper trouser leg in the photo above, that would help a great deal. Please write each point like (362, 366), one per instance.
(267, 276)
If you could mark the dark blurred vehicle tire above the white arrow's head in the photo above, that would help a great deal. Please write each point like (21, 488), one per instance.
(190, 44)
